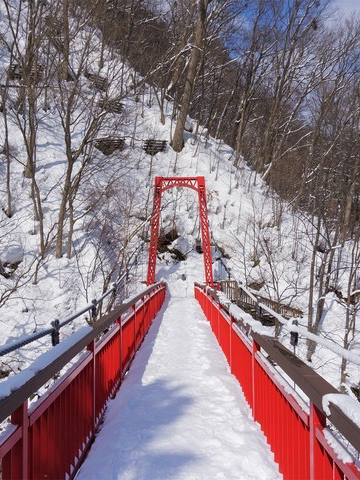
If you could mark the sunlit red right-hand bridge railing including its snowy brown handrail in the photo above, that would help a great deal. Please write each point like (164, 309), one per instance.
(296, 430)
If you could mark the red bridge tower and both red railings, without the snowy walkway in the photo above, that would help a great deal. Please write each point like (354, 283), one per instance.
(51, 437)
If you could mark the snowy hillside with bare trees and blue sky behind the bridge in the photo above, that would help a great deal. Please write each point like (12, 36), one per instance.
(260, 97)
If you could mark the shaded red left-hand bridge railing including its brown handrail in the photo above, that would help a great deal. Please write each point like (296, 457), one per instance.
(50, 438)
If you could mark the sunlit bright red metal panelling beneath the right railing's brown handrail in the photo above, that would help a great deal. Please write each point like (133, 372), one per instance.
(295, 437)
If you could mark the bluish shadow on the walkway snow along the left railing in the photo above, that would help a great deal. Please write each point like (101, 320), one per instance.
(132, 443)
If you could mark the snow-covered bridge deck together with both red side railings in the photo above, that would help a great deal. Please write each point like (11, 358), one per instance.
(179, 414)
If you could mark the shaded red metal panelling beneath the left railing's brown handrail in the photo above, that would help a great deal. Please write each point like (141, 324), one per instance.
(52, 440)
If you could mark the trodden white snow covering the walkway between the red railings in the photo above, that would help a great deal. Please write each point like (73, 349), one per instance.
(179, 414)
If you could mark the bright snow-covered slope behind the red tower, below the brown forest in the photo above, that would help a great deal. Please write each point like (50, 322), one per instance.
(263, 242)
